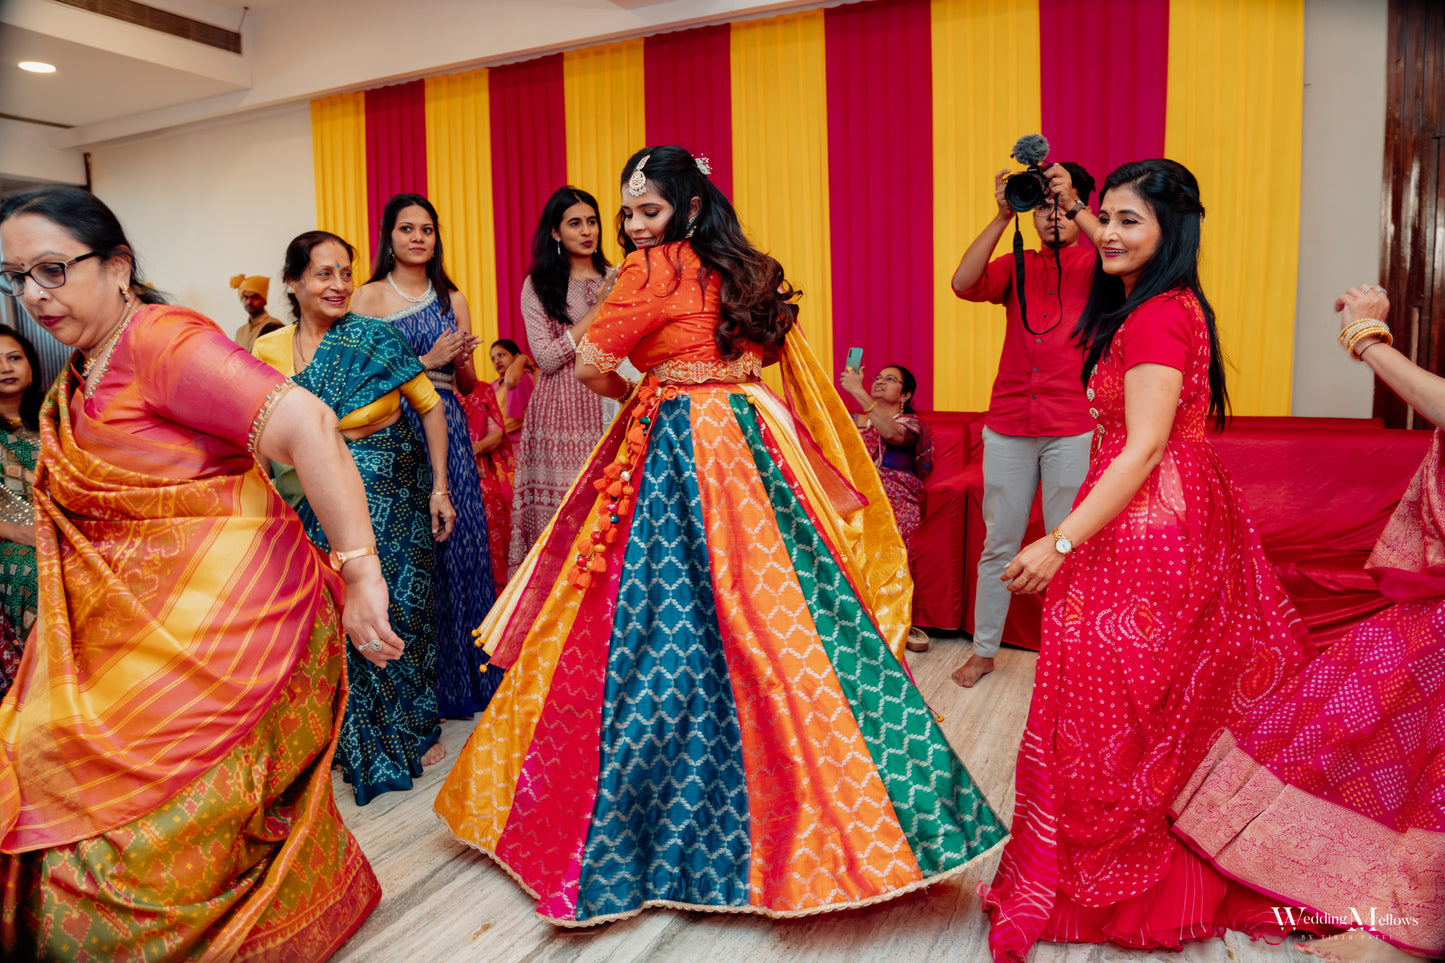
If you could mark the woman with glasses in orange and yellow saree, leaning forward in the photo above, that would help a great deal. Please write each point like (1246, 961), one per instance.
(165, 754)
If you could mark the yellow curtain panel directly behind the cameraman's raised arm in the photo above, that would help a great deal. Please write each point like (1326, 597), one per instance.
(982, 105)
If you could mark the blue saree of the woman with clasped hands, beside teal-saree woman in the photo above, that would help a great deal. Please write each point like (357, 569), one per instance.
(465, 583)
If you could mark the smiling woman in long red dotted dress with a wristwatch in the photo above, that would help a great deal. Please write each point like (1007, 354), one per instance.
(1165, 625)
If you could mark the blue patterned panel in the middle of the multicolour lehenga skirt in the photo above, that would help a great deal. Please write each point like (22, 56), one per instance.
(671, 821)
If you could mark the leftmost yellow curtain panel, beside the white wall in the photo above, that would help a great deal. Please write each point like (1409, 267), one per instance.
(339, 154)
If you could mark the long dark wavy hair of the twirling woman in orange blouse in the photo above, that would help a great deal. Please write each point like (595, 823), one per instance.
(758, 301)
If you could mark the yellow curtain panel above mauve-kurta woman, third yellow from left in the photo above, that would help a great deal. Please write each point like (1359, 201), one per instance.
(606, 122)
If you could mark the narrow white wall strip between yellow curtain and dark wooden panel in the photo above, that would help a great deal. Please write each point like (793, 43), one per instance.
(1340, 197)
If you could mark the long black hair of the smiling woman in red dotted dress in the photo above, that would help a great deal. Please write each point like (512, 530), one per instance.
(1174, 197)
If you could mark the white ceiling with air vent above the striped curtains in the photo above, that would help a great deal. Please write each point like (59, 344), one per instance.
(116, 82)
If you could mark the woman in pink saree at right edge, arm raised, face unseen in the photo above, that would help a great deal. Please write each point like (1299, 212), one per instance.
(1330, 797)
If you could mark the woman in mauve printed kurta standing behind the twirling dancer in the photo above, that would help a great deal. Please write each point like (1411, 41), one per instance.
(563, 419)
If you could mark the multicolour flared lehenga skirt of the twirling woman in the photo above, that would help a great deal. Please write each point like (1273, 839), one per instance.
(716, 722)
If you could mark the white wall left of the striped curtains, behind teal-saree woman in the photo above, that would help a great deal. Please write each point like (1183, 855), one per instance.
(204, 205)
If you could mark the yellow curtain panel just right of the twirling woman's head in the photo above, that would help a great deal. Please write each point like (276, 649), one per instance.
(781, 155)
